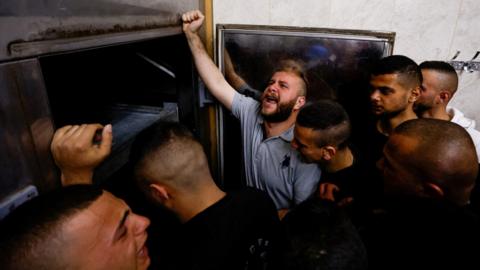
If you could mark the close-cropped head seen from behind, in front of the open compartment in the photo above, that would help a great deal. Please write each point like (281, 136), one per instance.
(168, 153)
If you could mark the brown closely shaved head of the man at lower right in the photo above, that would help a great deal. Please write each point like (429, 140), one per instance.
(438, 152)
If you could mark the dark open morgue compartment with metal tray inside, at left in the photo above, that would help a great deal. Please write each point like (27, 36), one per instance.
(130, 86)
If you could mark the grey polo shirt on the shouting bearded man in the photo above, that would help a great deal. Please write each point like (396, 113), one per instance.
(272, 164)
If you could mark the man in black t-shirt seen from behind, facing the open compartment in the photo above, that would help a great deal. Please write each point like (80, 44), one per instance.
(218, 231)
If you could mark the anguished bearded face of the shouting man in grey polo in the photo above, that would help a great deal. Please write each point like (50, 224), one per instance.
(280, 97)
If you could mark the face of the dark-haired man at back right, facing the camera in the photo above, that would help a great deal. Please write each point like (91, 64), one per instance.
(388, 96)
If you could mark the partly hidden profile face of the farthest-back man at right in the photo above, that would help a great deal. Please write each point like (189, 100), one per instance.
(429, 93)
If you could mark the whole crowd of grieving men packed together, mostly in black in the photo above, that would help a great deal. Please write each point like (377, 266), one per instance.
(402, 197)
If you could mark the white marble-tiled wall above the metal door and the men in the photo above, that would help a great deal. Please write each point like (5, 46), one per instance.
(425, 29)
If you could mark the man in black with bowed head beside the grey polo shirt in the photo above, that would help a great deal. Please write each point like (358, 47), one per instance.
(321, 136)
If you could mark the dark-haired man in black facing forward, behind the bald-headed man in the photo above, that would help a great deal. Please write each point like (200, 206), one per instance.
(395, 85)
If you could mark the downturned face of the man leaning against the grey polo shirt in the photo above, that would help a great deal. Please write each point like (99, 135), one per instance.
(304, 143)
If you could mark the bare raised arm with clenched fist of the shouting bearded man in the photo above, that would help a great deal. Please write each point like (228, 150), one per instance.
(209, 72)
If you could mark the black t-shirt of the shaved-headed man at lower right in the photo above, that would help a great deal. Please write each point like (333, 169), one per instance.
(423, 233)
